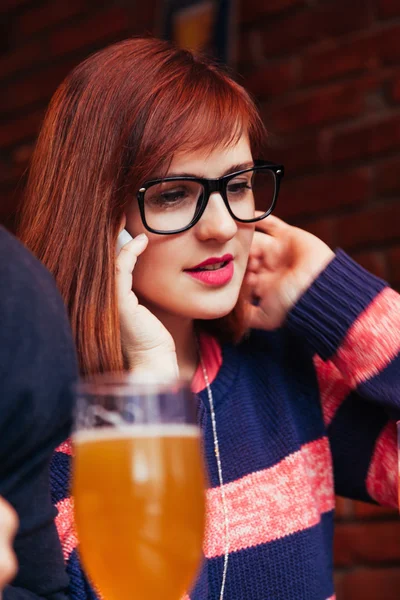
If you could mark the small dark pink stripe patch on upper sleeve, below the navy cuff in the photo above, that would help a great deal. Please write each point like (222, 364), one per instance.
(333, 389)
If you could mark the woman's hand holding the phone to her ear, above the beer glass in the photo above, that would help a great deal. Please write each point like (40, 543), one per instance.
(146, 343)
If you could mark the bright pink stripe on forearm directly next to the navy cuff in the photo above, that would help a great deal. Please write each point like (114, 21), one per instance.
(373, 341)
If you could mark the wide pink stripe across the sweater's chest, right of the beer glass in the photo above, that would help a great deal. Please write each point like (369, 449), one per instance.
(270, 504)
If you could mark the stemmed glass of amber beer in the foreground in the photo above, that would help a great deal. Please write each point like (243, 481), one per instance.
(138, 486)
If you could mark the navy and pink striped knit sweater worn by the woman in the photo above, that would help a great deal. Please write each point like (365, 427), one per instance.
(302, 413)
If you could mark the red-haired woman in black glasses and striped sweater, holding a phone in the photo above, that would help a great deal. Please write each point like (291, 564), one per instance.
(303, 379)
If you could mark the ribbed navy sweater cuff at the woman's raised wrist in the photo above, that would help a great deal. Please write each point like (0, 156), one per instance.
(332, 303)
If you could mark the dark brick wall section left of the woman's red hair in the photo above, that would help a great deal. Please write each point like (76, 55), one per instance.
(40, 42)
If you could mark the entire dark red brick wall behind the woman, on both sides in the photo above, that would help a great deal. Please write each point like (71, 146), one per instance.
(327, 76)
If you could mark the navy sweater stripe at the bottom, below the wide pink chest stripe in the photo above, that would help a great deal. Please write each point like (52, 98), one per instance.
(295, 567)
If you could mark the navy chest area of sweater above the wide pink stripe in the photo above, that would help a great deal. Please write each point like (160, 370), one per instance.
(264, 415)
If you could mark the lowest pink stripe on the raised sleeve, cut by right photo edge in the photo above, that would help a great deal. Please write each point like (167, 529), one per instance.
(382, 478)
